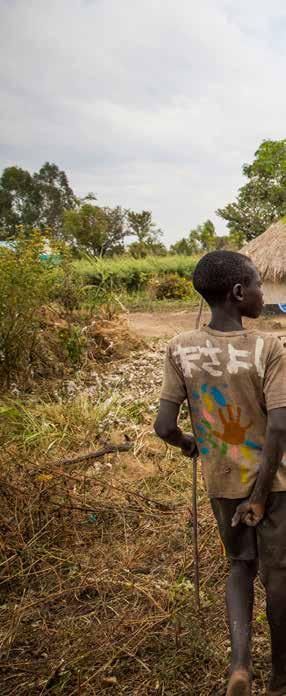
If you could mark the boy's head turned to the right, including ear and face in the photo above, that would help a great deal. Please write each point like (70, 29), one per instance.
(226, 276)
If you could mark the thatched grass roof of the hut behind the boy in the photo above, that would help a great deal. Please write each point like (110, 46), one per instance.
(268, 252)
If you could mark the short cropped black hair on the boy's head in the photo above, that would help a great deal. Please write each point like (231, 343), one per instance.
(217, 273)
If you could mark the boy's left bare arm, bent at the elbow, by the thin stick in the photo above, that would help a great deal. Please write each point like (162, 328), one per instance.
(166, 427)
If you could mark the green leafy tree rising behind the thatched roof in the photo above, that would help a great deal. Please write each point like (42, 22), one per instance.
(262, 200)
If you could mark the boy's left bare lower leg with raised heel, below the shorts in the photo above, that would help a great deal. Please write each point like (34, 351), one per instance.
(239, 599)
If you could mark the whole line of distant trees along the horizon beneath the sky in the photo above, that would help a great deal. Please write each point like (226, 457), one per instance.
(46, 201)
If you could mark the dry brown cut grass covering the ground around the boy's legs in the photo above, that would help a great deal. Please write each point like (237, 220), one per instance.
(96, 569)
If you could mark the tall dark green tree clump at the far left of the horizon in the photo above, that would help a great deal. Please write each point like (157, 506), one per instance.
(37, 200)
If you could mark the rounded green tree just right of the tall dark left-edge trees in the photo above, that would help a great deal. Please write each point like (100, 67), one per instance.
(99, 231)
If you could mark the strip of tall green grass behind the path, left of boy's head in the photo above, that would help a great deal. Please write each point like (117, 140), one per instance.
(133, 274)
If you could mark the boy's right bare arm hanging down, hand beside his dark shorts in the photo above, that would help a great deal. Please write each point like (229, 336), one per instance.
(252, 510)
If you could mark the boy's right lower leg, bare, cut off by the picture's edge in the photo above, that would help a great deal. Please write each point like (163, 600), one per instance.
(275, 584)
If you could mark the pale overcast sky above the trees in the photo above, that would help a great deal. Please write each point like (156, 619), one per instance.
(150, 104)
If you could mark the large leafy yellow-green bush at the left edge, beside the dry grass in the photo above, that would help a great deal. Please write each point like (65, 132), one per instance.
(31, 289)
